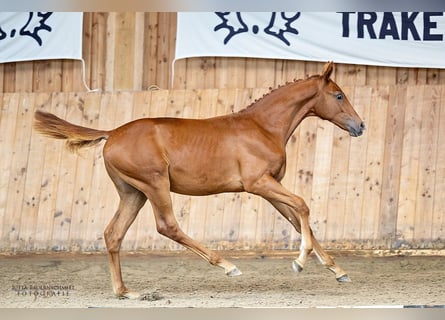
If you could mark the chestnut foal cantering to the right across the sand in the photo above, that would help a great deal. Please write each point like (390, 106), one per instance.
(245, 151)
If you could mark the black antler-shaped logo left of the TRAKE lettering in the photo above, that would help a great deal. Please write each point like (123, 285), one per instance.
(280, 24)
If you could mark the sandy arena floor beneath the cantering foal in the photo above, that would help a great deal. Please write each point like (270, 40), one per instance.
(183, 280)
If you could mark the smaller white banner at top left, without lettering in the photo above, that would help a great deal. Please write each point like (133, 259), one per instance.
(40, 35)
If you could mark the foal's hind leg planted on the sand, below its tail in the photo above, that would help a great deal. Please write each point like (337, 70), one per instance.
(131, 201)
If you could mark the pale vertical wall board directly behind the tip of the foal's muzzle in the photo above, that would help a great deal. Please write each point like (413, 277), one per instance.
(363, 104)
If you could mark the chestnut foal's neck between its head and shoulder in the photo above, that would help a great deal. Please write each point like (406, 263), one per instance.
(282, 110)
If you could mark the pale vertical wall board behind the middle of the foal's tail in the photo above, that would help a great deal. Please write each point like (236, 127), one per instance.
(66, 188)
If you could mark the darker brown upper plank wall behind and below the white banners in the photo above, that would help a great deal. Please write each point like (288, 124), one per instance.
(134, 51)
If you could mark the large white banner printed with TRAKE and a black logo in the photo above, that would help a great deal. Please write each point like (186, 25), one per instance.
(402, 39)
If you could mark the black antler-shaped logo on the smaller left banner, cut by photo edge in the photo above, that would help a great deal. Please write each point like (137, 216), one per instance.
(36, 23)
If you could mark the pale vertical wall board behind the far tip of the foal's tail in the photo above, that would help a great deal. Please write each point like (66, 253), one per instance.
(53, 151)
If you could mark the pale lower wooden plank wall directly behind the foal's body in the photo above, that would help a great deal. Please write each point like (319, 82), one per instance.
(381, 190)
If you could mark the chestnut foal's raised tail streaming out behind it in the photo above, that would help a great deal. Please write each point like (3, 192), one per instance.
(76, 136)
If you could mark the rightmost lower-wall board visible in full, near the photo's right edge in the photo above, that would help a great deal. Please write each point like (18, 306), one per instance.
(423, 221)
